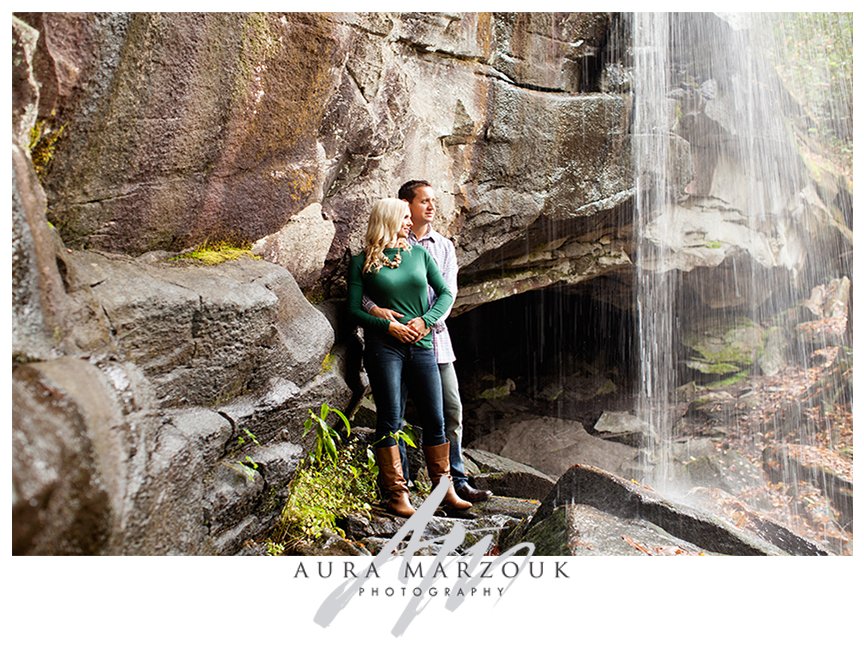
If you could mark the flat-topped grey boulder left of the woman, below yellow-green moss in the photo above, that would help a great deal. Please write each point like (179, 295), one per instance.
(205, 335)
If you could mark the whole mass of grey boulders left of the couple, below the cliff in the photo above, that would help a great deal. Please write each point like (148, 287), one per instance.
(135, 381)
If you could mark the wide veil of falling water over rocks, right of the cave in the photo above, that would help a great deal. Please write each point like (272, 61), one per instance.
(742, 223)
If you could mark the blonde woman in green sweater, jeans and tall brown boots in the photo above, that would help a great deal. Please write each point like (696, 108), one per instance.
(399, 355)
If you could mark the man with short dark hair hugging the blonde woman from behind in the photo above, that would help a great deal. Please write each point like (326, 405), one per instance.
(421, 200)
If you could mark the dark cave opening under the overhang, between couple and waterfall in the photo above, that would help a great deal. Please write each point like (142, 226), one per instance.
(564, 352)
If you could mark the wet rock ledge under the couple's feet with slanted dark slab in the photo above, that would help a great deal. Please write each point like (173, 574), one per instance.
(588, 511)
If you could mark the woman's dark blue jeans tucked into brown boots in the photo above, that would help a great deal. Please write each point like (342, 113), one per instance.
(393, 367)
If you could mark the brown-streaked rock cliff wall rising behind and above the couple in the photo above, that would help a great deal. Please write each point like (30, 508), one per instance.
(178, 129)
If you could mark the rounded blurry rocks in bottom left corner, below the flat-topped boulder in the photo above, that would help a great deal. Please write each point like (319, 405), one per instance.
(100, 470)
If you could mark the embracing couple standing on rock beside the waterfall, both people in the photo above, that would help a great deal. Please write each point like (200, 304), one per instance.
(401, 289)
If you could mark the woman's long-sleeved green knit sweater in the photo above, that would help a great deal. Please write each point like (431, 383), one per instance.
(403, 289)
